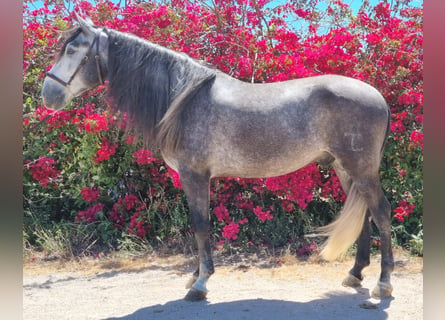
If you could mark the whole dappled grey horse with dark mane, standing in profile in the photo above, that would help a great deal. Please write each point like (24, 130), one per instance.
(207, 124)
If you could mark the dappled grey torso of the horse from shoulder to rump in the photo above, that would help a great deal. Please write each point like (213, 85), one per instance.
(258, 130)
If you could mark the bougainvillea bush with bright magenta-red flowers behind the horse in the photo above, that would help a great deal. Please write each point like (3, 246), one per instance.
(87, 173)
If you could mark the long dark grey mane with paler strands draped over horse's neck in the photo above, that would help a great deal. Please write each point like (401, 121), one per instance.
(152, 85)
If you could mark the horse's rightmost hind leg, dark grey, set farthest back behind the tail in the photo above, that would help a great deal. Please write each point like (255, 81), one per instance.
(380, 210)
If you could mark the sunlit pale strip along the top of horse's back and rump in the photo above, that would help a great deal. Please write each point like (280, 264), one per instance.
(272, 97)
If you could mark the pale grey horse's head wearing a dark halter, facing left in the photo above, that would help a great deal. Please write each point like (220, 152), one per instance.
(80, 66)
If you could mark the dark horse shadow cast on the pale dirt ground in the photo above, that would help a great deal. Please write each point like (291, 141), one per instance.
(334, 306)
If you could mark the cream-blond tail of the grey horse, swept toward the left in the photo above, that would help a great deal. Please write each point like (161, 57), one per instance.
(346, 228)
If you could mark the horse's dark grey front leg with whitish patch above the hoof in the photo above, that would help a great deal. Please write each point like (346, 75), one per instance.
(196, 188)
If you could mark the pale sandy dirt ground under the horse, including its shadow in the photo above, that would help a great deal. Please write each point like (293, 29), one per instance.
(242, 288)
